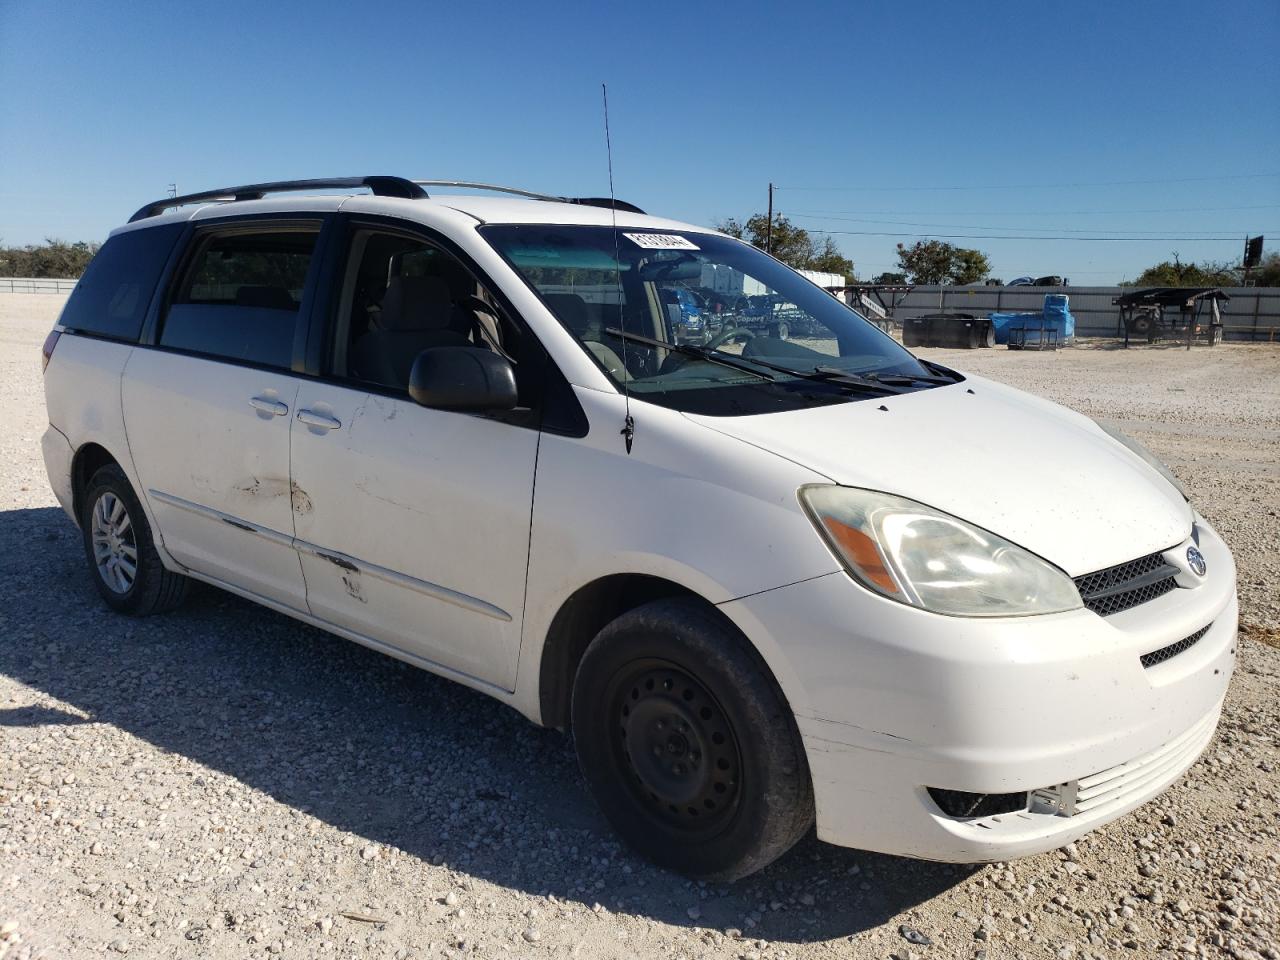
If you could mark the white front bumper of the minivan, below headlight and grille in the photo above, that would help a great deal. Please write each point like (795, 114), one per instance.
(893, 701)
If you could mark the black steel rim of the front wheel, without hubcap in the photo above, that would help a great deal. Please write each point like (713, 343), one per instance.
(678, 747)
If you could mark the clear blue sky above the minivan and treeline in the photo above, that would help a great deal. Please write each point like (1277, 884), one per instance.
(926, 120)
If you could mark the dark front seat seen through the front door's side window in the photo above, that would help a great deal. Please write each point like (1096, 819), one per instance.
(418, 314)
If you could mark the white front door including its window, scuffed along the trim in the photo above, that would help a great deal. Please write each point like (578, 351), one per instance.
(413, 524)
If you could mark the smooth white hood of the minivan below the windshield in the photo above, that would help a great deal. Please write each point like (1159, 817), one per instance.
(1035, 473)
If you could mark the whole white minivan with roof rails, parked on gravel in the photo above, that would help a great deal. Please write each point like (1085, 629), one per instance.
(781, 575)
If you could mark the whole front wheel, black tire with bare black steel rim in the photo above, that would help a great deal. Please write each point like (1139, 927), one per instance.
(688, 743)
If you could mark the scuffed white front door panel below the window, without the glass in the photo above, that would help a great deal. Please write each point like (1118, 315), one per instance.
(417, 529)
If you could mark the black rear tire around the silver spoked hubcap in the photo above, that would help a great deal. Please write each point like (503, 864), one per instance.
(153, 589)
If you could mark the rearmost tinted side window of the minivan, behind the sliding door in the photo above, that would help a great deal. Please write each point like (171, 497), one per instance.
(113, 296)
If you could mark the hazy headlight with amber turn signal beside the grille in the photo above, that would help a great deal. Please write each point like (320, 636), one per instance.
(926, 559)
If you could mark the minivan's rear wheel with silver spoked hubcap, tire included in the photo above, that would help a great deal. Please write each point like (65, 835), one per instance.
(122, 557)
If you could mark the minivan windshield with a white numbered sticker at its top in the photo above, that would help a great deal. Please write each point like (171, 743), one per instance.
(705, 324)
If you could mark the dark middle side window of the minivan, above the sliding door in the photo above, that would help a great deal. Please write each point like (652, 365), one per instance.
(241, 295)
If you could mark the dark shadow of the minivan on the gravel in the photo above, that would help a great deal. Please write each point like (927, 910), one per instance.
(386, 752)
